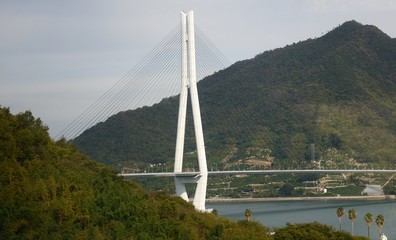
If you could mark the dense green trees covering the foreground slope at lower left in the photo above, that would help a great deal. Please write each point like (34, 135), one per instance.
(48, 190)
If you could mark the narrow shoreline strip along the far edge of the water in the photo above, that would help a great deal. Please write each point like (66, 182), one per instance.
(285, 199)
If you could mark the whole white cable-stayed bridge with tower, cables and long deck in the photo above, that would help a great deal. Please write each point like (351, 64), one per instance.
(145, 85)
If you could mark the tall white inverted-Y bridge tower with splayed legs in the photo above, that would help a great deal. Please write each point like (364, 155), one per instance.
(189, 82)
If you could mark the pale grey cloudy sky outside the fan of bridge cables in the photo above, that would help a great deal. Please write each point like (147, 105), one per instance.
(58, 57)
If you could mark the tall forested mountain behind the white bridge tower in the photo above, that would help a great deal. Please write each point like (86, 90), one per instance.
(336, 92)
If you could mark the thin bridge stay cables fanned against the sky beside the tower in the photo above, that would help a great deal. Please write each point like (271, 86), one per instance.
(155, 77)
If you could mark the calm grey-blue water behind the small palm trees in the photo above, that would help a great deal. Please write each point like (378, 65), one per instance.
(278, 213)
